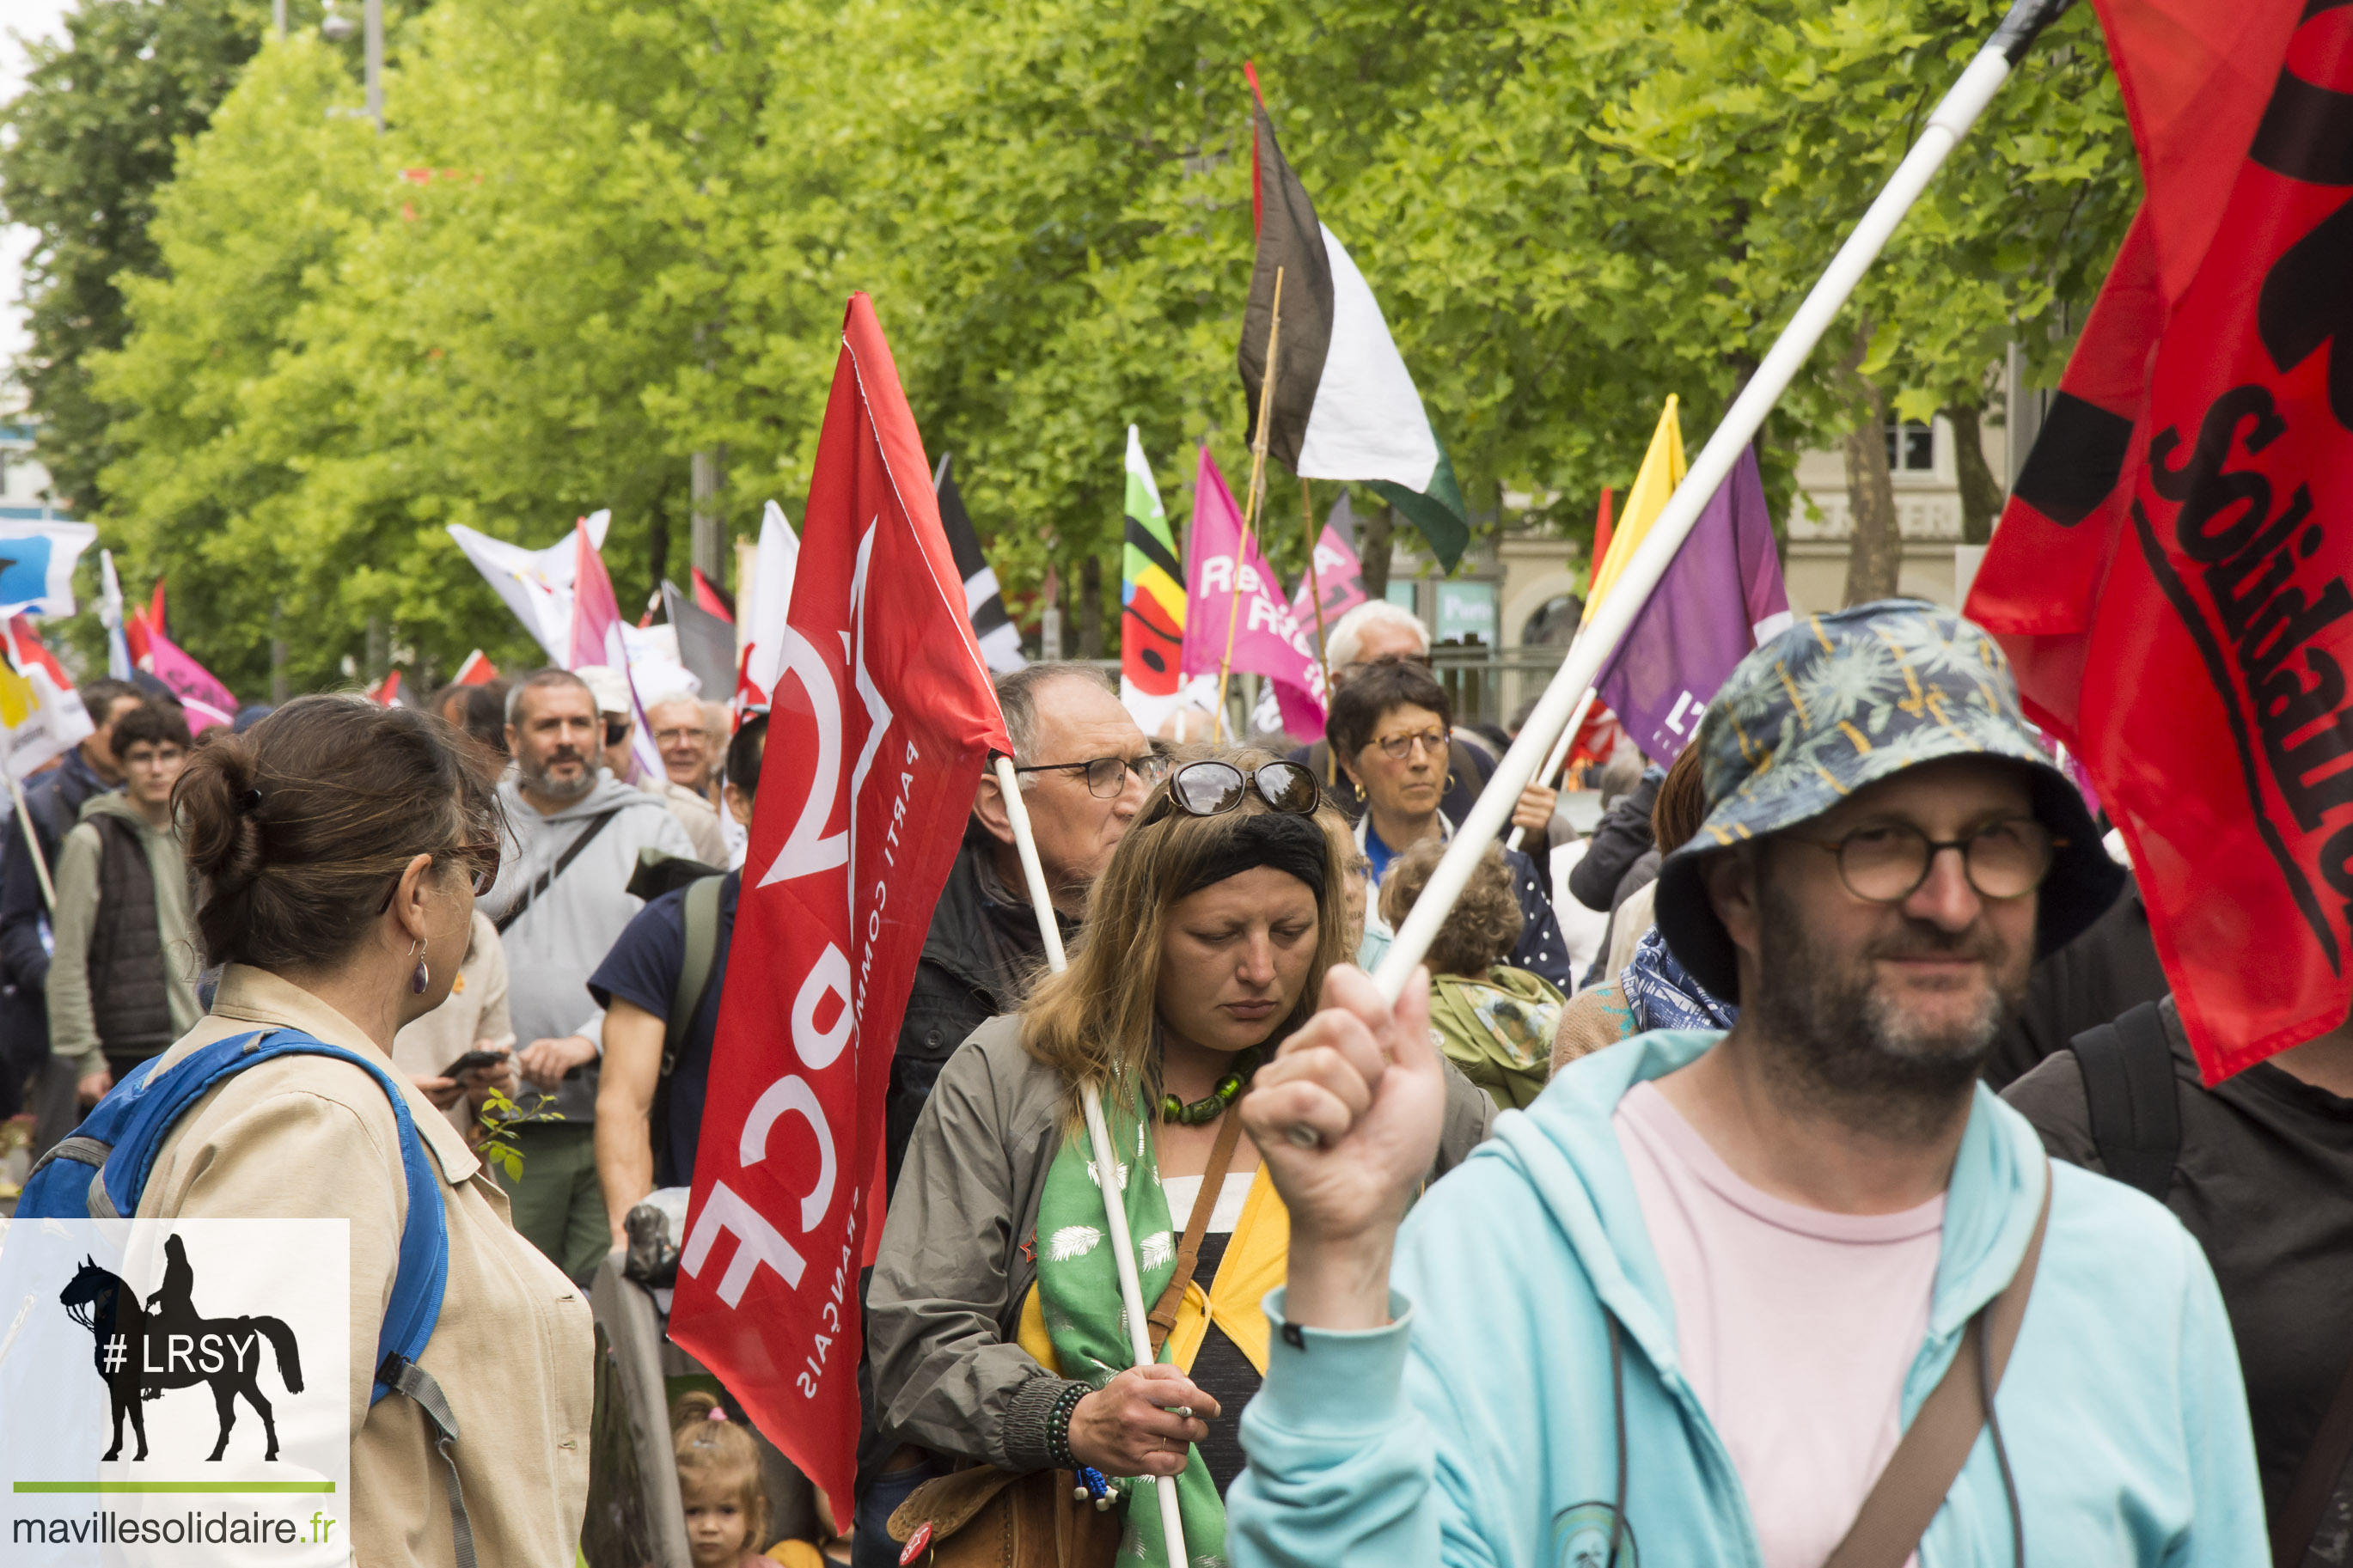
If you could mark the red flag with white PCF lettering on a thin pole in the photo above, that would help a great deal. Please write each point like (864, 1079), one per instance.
(879, 730)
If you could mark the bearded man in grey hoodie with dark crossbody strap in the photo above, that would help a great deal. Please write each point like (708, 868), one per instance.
(561, 902)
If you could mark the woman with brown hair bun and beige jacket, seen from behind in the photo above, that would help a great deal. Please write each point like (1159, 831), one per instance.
(338, 850)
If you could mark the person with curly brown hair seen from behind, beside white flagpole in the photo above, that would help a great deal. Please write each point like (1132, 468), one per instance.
(1491, 1019)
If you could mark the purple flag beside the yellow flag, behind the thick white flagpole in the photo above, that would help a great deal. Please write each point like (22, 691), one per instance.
(1717, 603)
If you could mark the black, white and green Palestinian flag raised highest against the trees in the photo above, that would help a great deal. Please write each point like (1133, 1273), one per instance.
(1345, 403)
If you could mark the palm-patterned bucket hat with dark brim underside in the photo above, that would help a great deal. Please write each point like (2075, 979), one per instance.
(1837, 704)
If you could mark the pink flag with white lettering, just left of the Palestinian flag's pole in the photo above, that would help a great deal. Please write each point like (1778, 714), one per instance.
(1267, 638)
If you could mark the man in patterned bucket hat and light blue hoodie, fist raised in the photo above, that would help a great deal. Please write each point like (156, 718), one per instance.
(1740, 1299)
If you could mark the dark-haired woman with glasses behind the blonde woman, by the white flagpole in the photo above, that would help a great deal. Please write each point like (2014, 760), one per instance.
(1392, 730)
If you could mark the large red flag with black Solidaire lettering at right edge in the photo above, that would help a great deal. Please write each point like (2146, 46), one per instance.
(2171, 575)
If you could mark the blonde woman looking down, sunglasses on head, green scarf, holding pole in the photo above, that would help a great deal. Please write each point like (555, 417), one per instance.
(994, 1315)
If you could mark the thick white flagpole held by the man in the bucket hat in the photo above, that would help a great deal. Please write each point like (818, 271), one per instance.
(1618, 612)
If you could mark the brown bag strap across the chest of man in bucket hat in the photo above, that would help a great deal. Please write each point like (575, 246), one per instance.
(1938, 1445)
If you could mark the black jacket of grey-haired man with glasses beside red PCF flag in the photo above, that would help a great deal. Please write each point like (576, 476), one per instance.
(978, 963)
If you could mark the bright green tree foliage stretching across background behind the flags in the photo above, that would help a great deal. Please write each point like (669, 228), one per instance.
(608, 234)
